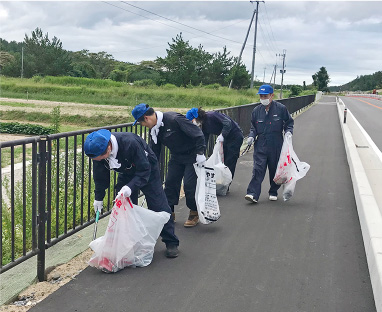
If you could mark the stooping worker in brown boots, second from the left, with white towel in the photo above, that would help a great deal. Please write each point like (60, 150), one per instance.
(186, 144)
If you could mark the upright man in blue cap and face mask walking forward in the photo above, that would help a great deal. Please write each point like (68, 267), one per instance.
(269, 121)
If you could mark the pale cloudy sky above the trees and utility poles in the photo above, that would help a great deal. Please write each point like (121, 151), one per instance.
(343, 36)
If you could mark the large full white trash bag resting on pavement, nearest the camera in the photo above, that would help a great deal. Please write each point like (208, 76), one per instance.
(130, 237)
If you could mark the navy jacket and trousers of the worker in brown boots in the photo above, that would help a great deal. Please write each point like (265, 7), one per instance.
(185, 141)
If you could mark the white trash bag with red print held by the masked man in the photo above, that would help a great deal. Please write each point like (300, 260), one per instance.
(289, 168)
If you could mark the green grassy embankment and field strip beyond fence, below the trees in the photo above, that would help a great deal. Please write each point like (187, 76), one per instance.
(106, 92)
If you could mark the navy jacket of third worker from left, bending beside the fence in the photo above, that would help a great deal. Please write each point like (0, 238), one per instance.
(216, 123)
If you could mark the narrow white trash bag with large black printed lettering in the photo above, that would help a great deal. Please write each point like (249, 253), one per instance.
(205, 195)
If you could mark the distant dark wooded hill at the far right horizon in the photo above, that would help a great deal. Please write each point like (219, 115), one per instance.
(361, 83)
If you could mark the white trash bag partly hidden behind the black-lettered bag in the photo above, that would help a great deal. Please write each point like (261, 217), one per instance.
(222, 173)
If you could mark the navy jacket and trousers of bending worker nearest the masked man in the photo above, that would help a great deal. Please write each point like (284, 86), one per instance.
(216, 123)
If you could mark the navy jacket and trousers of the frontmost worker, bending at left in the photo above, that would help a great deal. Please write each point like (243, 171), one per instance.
(140, 171)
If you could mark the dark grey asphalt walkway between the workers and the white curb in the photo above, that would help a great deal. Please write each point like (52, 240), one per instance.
(306, 254)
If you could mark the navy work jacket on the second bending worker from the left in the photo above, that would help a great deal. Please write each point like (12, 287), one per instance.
(180, 135)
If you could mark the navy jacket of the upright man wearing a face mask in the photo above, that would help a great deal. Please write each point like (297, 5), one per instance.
(269, 127)
